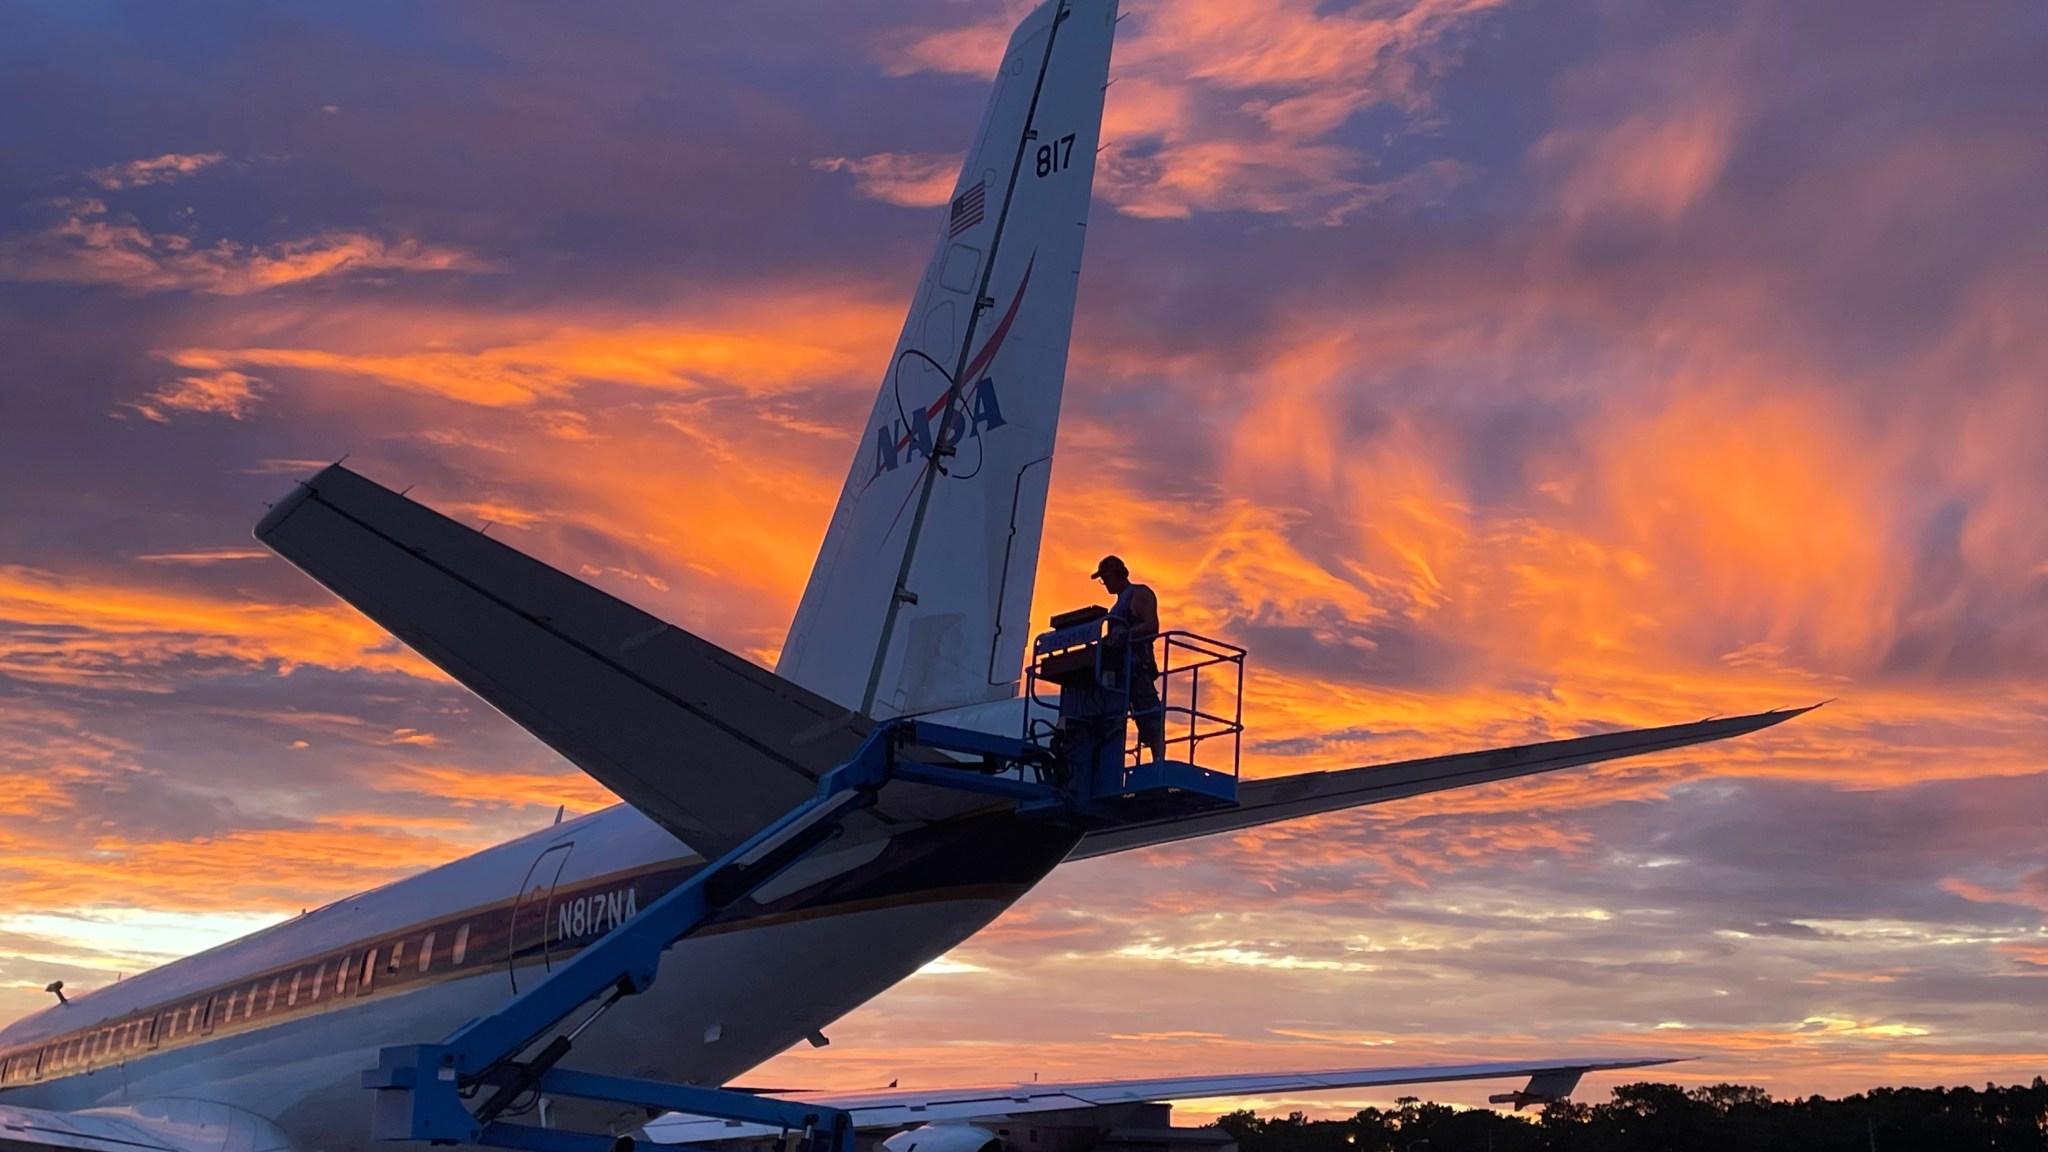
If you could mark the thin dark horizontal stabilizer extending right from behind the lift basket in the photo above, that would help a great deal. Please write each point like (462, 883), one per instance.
(1308, 794)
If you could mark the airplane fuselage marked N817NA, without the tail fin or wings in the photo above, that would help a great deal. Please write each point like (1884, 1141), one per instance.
(284, 1024)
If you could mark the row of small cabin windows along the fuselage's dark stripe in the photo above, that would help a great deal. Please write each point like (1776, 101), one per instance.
(261, 999)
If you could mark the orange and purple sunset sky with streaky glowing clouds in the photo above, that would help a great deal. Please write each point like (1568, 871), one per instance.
(1492, 370)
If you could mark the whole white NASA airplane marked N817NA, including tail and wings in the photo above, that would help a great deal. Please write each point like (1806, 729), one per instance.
(919, 610)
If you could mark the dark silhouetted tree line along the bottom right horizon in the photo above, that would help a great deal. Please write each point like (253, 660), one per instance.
(1666, 1118)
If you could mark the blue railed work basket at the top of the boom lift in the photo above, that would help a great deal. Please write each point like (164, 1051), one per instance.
(1080, 708)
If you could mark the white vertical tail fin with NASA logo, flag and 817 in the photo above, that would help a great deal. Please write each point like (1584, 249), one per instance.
(921, 598)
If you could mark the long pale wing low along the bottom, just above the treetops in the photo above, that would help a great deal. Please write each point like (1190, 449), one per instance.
(900, 1108)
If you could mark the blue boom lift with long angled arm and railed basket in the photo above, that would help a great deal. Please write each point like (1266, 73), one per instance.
(1070, 766)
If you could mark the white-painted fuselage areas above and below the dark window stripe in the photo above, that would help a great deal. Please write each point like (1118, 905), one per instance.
(724, 1003)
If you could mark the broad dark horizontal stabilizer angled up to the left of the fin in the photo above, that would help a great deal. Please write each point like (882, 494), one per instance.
(708, 743)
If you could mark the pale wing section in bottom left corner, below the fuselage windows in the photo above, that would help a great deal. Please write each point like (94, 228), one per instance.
(148, 1126)
